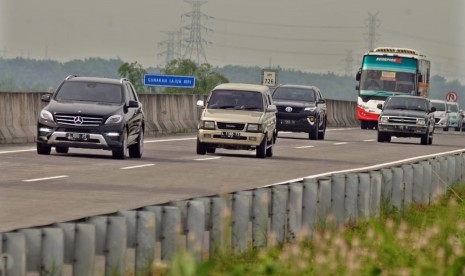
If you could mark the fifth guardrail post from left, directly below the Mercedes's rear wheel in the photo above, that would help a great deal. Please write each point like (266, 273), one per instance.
(145, 242)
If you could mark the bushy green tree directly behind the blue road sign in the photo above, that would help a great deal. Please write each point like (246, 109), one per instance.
(206, 77)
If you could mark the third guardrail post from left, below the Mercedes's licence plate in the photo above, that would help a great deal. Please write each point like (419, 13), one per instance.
(84, 249)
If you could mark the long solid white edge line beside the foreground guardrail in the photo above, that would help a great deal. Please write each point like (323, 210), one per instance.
(374, 167)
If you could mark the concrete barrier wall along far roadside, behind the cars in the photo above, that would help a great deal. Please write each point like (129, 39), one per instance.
(164, 114)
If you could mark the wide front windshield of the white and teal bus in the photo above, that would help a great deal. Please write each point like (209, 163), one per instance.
(373, 81)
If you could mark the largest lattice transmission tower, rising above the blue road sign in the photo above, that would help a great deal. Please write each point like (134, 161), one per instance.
(194, 44)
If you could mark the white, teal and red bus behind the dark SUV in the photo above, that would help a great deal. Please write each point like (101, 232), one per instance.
(388, 71)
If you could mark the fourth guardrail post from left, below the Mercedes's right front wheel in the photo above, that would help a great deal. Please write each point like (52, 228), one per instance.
(115, 246)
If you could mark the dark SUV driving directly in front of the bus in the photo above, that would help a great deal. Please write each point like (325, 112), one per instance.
(406, 116)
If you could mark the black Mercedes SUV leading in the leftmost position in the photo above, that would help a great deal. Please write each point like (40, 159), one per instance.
(93, 113)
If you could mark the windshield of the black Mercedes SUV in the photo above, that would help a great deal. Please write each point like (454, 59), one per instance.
(90, 92)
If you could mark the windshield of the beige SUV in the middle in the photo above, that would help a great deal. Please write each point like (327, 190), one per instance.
(232, 99)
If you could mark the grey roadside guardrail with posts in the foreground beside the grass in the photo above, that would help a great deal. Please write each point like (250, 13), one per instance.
(134, 239)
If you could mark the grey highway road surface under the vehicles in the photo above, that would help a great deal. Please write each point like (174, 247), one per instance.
(39, 190)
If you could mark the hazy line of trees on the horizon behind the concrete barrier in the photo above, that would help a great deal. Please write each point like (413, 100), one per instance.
(29, 75)
